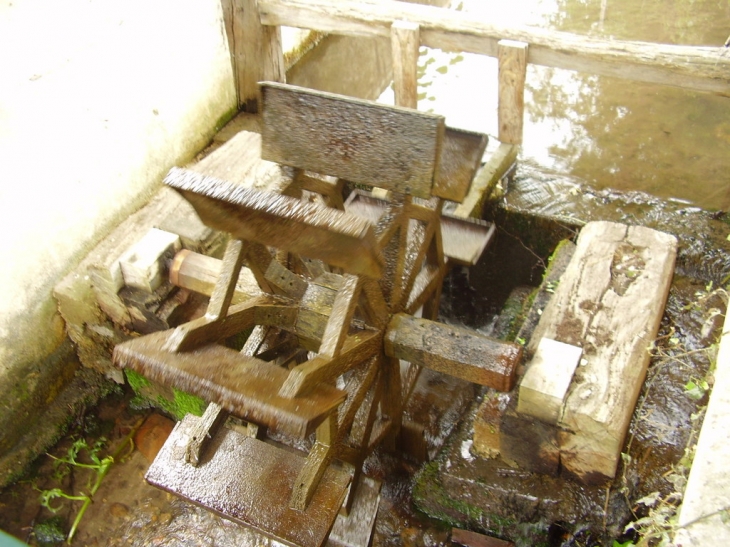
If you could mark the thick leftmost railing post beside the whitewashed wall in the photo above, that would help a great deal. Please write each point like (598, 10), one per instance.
(257, 54)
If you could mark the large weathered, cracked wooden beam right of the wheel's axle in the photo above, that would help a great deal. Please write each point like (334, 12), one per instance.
(610, 302)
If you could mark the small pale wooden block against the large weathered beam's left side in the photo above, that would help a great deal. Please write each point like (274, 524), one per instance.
(544, 386)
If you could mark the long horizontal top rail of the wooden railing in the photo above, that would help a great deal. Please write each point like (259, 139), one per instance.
(689, 67)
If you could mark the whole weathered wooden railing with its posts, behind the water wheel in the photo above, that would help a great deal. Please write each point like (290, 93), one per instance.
(254, 36)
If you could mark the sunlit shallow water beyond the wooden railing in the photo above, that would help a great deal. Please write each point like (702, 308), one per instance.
(608, 132)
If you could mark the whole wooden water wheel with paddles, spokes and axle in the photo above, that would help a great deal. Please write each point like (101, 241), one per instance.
(344, 318)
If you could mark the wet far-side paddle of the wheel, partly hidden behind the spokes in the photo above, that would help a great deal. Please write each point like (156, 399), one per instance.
(464, 239)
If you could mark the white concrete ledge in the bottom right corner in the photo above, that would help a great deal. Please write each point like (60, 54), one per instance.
(706, 505)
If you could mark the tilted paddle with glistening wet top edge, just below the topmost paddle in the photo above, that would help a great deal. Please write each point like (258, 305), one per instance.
(283, 222)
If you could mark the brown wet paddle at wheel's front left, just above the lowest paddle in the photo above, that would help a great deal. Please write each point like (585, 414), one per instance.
(244, 386)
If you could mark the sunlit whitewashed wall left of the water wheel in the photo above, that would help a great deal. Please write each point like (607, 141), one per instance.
(98, 99)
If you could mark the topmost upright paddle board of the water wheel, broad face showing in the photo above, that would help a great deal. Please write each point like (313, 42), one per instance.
(360, 141)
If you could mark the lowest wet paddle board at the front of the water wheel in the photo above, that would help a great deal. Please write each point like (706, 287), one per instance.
(249, 482)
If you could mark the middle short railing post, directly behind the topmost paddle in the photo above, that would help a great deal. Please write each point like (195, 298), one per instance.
(405, 41)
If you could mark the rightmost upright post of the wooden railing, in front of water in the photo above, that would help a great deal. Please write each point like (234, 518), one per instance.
(512, 71)
